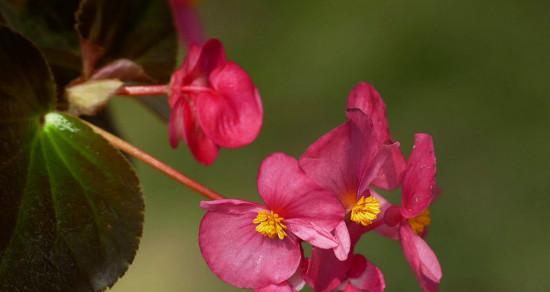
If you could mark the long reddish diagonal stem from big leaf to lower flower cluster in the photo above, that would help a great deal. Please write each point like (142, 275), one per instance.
(155, 163)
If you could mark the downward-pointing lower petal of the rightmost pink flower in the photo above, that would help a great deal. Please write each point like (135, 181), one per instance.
(422, 259)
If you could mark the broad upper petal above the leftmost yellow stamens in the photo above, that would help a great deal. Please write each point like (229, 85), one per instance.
(287, 190)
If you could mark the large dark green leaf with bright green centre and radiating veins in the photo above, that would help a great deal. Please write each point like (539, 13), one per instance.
(71, 210)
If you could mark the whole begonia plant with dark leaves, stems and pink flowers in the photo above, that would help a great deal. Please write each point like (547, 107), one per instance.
(71, 208)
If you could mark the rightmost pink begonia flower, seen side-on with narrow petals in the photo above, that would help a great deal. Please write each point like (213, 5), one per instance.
(410, 220)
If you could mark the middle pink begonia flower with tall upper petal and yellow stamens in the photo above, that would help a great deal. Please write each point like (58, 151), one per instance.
(352, 158)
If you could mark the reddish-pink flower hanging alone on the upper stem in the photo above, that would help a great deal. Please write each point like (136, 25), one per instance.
(214, 103)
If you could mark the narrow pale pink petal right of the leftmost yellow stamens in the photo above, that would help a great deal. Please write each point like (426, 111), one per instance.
(307, 231)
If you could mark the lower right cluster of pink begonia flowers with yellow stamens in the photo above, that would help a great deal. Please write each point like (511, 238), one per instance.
(328, 199)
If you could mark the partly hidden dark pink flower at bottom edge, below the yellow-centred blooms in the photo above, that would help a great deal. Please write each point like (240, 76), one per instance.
(326, 272)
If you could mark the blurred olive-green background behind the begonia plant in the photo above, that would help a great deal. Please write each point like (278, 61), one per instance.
(474, 74)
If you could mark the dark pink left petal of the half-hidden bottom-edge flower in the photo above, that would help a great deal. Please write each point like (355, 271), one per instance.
(325, 272)
